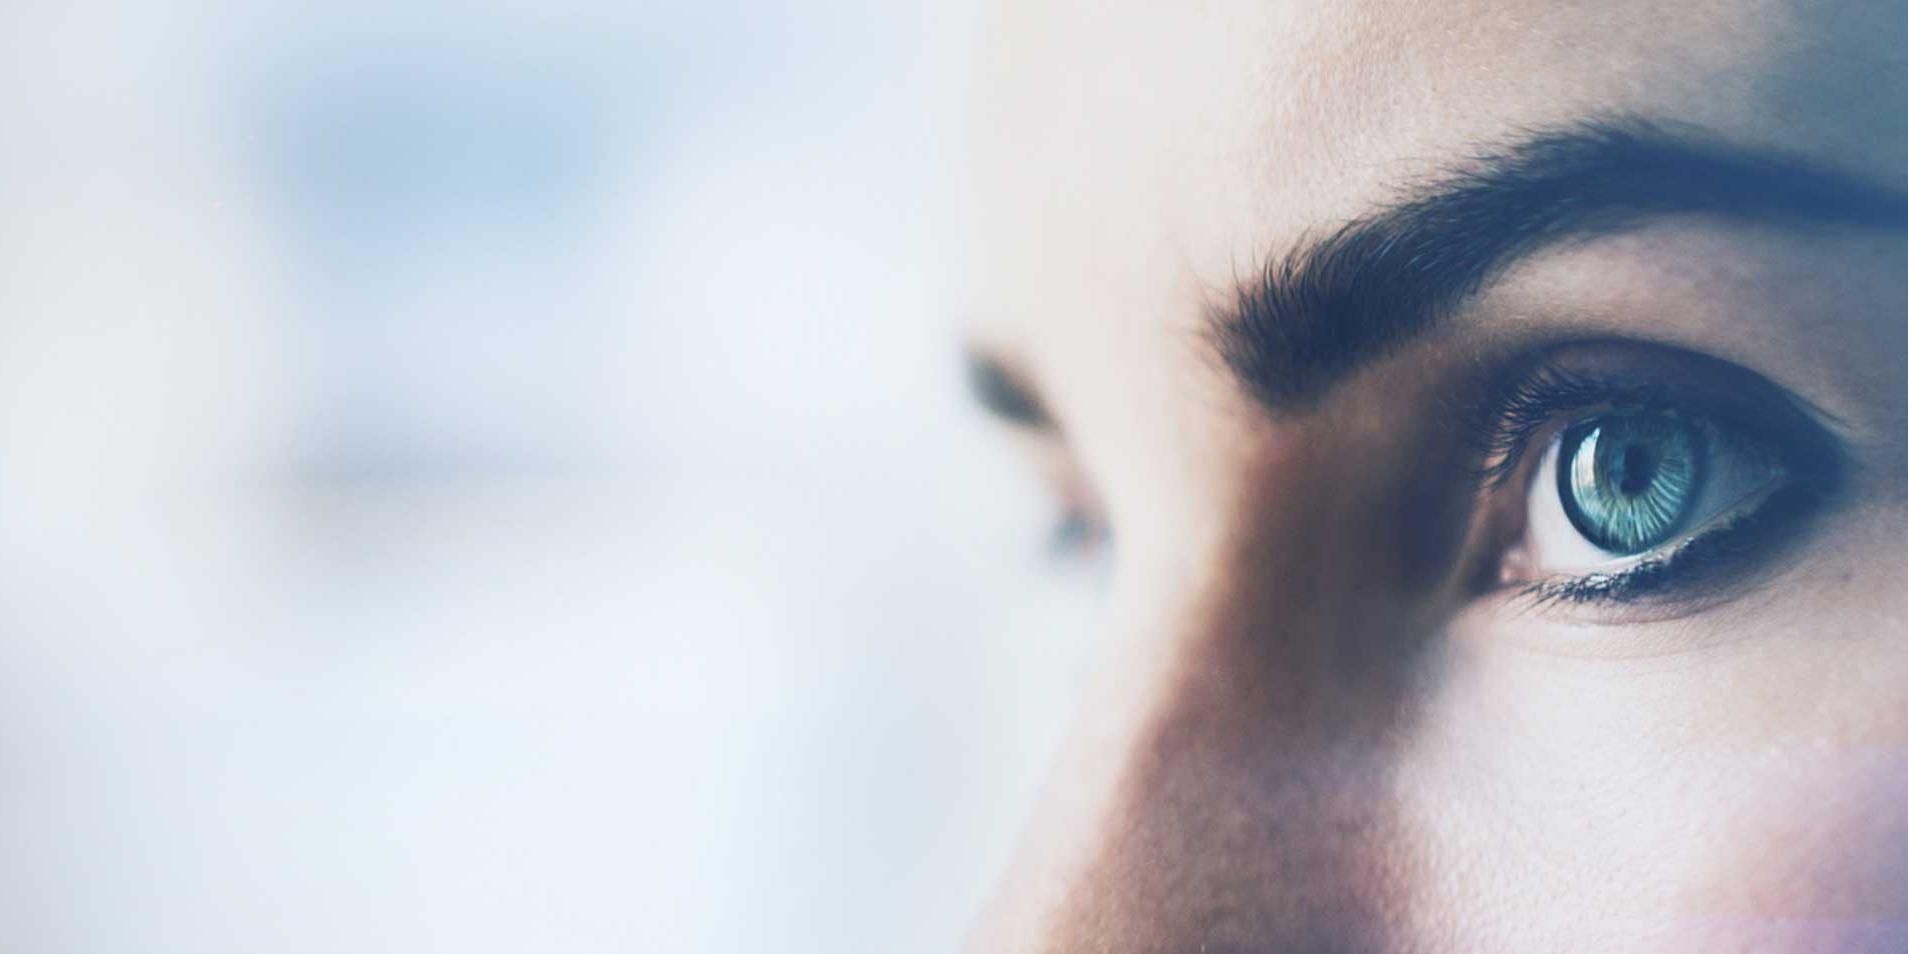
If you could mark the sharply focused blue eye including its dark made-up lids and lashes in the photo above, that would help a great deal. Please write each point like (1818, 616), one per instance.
(1621, 472)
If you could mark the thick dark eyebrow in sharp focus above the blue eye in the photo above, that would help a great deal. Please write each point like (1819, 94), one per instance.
(1375, 283)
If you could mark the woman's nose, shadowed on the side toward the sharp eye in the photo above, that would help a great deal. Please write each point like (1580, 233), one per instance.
(1243, 795)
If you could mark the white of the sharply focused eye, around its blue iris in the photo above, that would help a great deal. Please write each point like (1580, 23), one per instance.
(1554, 547)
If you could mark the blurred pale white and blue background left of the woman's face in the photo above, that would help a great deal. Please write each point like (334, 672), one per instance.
(501, 480)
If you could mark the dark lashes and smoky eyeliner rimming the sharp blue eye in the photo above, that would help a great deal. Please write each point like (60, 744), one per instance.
(1506, 430)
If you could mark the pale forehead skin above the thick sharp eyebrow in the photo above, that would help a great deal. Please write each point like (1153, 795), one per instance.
(1134, 138)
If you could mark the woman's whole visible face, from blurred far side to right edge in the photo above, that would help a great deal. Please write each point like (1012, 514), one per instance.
(1356, 697)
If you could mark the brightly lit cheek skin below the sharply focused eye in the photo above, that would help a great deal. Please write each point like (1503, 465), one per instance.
(1743, 797)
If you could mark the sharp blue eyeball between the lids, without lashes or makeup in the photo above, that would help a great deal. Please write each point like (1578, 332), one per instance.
(1617, 487)
